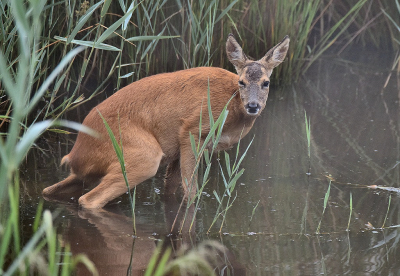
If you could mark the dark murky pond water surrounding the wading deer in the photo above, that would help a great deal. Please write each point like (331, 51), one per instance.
(271, 226)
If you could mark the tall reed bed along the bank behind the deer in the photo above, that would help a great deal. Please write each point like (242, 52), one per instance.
(199, 29)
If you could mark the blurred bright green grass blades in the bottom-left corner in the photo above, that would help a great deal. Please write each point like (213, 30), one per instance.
(32, 257)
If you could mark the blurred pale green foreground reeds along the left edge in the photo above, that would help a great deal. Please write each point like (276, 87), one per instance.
(20, 72)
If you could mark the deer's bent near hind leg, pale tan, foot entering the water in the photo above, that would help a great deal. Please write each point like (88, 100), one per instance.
(142, 159)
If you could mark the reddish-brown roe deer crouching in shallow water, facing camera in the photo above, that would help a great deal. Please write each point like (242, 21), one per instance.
(155, 116)
